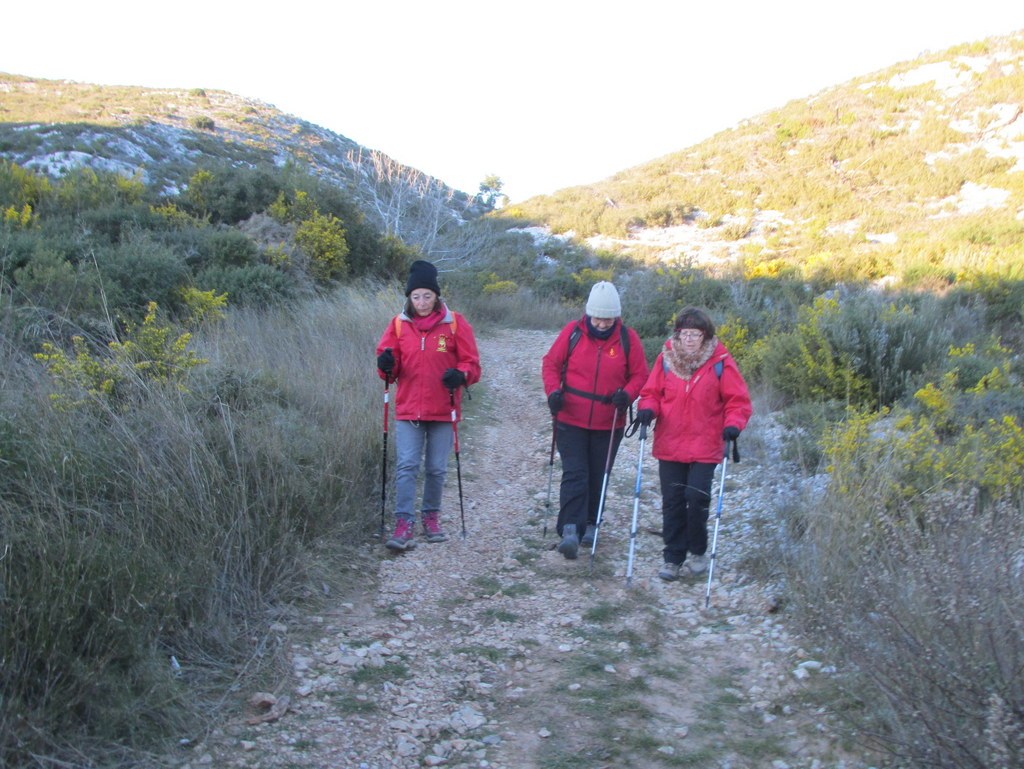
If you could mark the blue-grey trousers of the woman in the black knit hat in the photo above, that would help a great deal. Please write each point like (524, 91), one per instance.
(415, 442)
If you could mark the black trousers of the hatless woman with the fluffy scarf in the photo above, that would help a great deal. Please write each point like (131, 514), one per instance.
(686, 505)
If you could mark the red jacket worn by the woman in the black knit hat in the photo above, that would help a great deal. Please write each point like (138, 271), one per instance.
(421, 359)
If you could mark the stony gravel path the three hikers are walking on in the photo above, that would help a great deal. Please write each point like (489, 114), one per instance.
(496, 652)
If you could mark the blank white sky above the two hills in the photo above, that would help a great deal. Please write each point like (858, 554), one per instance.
(544, 95)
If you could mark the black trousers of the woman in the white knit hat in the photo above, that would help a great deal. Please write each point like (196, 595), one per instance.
(584, 454)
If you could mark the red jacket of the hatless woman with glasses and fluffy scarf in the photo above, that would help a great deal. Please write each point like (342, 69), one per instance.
(692, 413)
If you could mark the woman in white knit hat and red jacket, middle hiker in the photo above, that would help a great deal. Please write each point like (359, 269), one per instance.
(592, 374)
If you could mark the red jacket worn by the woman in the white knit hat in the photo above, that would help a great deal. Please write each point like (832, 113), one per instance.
(596, 367)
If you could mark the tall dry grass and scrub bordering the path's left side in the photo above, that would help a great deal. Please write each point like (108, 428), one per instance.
(154, 510)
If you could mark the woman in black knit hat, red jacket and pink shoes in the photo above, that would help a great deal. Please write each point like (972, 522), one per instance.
(431, 353)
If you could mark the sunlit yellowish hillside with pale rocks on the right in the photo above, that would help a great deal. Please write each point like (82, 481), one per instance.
(922, 159)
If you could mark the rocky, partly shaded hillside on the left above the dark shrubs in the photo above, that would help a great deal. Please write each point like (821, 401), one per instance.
(164, 135)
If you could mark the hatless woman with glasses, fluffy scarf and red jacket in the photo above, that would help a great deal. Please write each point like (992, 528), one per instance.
(701, 402)
